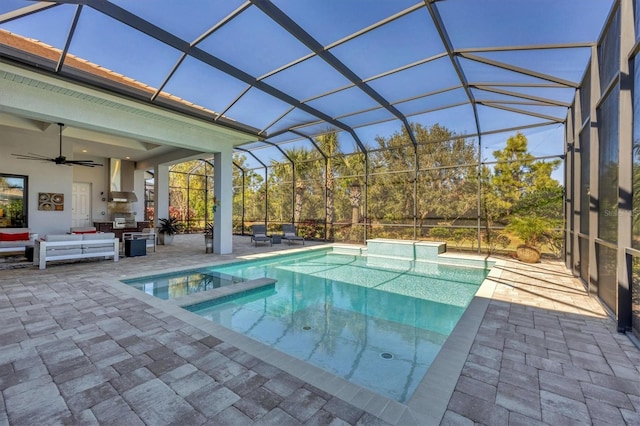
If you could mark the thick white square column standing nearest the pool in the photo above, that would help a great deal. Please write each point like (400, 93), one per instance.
(223, 188)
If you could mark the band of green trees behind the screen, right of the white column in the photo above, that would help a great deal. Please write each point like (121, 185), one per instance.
(438, 188)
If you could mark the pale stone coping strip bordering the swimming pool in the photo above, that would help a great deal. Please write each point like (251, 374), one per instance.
(425, 407)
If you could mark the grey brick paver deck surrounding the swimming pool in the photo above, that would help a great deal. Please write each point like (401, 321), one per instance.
(77, 349)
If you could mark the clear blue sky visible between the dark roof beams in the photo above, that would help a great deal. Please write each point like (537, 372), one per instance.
(256, 45)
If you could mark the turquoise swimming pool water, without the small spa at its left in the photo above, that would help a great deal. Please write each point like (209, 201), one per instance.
(379, 326)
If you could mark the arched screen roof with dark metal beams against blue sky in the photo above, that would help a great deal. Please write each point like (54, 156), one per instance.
(287, 71)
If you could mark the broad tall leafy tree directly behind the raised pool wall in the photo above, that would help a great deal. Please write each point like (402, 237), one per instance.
(446, 183)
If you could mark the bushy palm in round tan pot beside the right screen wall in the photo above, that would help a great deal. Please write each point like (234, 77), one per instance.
(534, 232)
